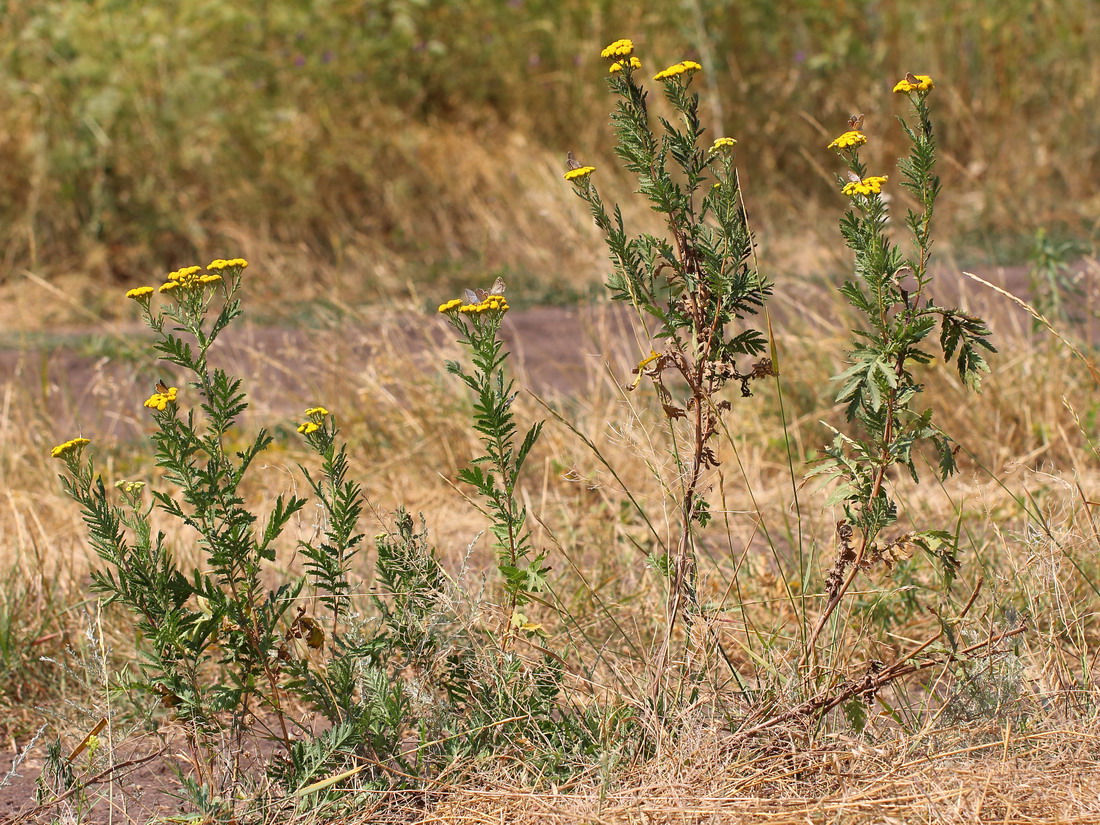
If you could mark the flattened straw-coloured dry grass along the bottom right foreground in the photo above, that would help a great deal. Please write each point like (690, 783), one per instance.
(947, 776)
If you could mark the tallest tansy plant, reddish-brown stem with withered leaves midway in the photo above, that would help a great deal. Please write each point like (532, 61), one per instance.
(696, 285)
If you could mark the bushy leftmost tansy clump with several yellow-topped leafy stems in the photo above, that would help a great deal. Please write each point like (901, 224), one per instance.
(223, 650)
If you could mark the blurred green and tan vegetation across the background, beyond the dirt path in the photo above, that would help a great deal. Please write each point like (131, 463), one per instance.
(139, 136)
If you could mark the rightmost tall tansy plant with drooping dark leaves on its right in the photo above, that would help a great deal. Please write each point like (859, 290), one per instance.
(882, 389)
